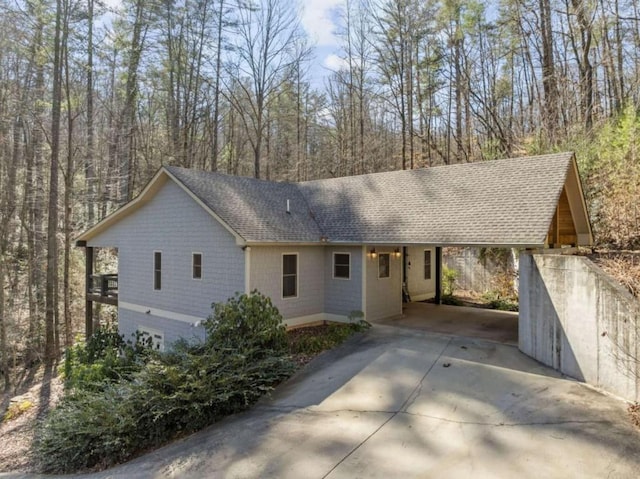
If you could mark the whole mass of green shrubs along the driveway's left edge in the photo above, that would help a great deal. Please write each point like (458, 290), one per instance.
(245, 356)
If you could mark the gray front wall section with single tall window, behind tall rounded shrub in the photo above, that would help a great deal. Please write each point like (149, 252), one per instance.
(266, 276)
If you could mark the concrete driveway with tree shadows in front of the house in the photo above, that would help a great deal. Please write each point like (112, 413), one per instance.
(403, 403)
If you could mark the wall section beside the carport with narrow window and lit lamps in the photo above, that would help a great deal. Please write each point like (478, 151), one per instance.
(383, 295)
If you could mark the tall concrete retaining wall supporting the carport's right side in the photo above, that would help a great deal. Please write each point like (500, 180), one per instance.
(576, 319)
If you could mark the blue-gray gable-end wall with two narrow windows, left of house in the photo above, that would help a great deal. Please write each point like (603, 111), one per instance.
(174, 224)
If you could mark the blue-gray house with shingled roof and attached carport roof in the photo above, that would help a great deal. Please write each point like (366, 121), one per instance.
(322, 249)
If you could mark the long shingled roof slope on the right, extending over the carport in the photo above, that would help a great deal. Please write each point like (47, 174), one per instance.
(506, 202)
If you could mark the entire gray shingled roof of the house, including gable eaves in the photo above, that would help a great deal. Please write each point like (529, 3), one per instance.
(508, 202)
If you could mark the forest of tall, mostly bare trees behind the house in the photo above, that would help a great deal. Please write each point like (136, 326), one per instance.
(94, 99)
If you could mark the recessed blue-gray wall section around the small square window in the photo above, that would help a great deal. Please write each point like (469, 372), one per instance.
(342, 296)
